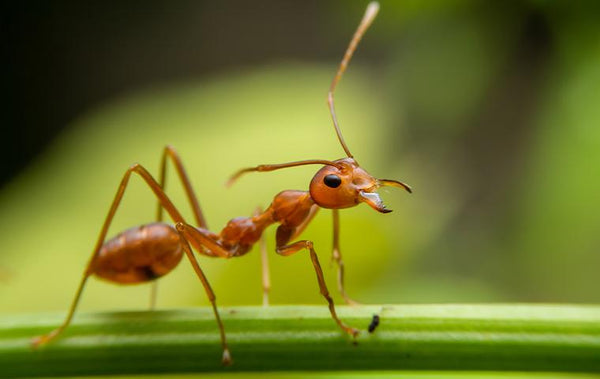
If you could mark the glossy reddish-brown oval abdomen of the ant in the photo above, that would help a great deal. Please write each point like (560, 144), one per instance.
(139, 254)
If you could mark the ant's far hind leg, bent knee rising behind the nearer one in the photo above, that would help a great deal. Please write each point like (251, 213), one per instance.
(170, 152)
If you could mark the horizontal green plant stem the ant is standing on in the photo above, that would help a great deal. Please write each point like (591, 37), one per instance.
(289, 338)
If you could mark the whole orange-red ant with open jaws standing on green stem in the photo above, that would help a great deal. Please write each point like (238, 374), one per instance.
(148, 252)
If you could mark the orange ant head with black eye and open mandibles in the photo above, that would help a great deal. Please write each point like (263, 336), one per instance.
(346, 184)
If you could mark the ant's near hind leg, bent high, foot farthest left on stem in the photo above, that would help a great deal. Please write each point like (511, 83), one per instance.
(166, 203)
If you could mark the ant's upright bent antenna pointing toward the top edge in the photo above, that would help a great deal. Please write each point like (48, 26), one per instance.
(366, 21)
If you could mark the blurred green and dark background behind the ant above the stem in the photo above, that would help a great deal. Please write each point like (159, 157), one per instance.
(490, 110)
